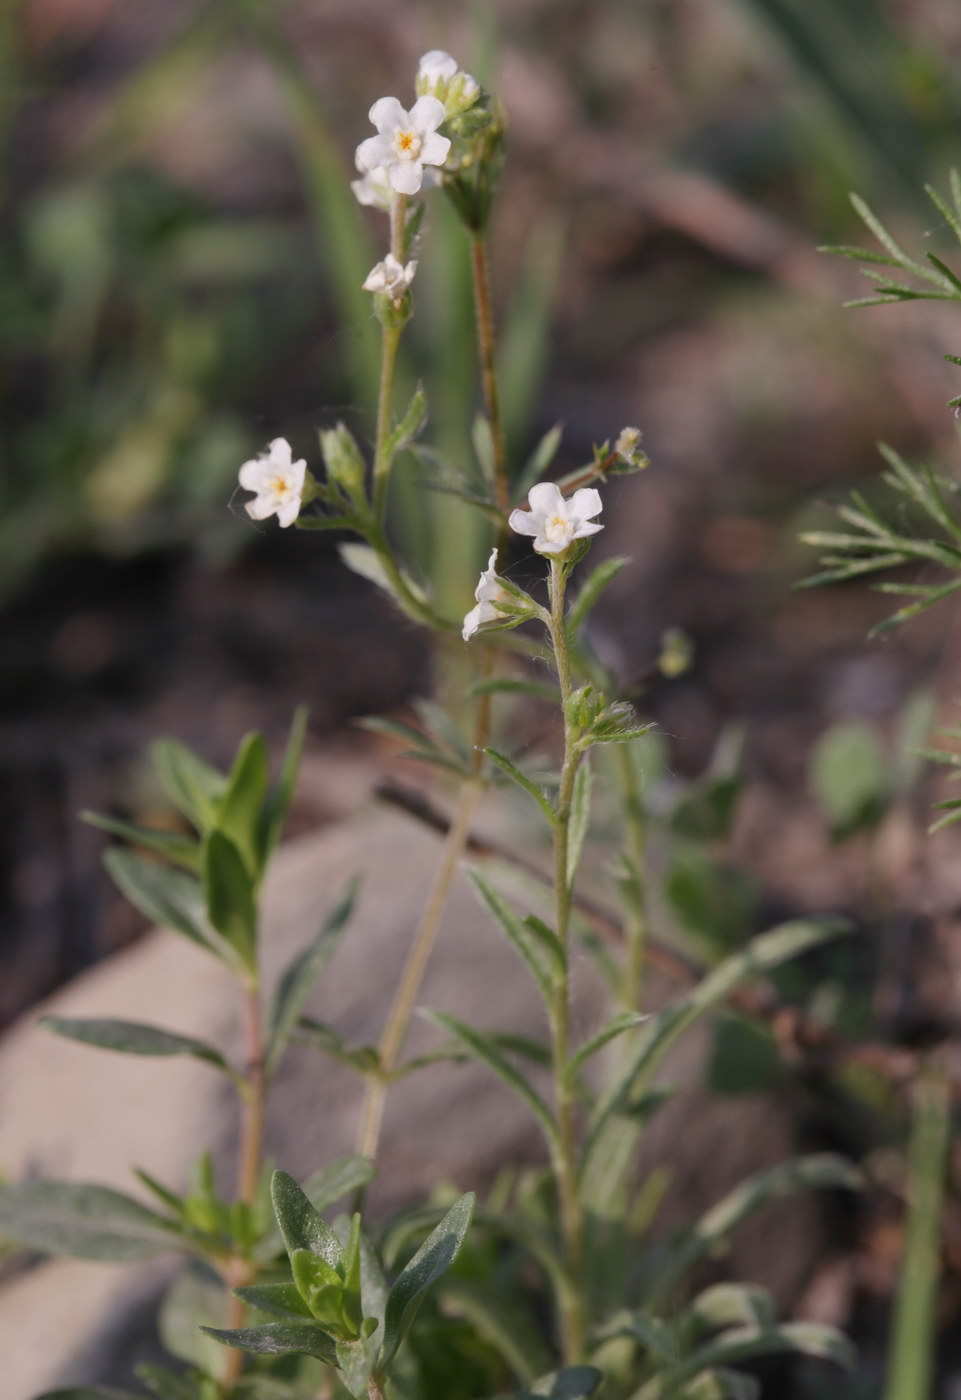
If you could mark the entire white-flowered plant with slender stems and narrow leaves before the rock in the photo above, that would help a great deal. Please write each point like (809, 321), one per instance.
(554, 1282)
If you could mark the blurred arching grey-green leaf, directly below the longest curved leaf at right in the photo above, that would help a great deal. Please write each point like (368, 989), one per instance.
(816, 1172)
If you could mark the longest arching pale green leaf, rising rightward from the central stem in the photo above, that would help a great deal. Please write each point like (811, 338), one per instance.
(662, 1031)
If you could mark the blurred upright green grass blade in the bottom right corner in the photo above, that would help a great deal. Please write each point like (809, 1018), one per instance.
(911, 1353)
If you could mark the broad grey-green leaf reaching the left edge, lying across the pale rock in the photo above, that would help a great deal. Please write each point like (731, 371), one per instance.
(83, 1221)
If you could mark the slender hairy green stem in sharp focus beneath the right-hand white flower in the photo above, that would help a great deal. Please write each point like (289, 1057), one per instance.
(565, 1156)
